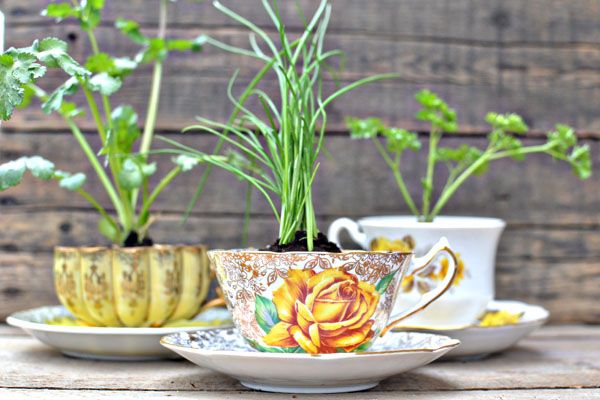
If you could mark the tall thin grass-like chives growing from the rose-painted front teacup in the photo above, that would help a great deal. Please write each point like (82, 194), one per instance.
(277, 150)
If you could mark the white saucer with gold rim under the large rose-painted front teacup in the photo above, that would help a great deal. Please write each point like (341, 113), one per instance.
(225, 351)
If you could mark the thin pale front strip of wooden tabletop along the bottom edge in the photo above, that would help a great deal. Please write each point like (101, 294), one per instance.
(51, 394)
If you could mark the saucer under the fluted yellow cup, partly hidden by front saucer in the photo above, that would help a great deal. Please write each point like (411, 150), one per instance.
(56, 327)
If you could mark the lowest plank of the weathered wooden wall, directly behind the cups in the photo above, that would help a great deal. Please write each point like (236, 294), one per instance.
(554, 267)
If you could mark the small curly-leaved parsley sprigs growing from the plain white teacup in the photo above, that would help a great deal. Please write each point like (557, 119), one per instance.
(463, 161)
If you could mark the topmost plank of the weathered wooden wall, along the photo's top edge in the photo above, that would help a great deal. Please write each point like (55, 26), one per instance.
(514, 22)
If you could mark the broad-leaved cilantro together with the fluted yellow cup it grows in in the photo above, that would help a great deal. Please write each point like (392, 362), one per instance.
(134, 283)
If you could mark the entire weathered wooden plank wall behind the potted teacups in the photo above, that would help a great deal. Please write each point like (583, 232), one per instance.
(540, 58)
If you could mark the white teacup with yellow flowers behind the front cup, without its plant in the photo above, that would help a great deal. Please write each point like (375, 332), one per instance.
(474, 239)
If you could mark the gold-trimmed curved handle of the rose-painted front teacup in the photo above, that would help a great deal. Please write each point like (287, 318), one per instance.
(431, 296)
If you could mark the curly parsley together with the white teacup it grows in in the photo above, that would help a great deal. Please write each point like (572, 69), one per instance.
(475, 239)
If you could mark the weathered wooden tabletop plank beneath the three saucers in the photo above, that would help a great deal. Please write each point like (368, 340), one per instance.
(533, 364)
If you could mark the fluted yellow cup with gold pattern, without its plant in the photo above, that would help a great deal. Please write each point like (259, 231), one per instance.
(134, 287)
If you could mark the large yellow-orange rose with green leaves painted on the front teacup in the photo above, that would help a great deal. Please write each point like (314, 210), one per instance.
(322, 312)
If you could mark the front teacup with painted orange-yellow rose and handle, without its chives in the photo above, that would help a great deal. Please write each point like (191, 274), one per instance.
(317, 302)
